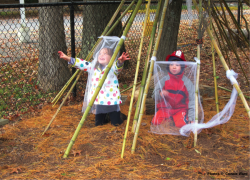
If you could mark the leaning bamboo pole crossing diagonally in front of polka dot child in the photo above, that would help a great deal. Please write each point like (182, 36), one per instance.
(102, 80)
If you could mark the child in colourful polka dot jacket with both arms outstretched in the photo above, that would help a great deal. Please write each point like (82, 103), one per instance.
(109, 98)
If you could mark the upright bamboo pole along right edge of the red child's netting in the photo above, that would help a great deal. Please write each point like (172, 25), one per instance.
(198, 75)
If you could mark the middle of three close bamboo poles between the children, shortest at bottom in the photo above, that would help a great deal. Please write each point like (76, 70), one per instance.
(145, 71)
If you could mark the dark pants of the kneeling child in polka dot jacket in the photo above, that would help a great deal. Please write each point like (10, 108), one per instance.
(115, 118)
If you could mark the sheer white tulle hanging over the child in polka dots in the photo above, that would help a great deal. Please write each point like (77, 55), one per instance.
(109, 95)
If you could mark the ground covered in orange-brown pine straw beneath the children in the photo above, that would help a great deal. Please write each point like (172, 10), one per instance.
(223, 152)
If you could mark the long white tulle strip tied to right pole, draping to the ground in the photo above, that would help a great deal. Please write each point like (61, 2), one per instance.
(220, 118)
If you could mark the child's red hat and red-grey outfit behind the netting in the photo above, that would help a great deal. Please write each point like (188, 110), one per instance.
(175, 104)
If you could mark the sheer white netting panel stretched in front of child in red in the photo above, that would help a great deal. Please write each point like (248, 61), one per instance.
(174, 95)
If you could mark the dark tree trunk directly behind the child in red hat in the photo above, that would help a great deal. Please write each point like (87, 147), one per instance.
(168, 41)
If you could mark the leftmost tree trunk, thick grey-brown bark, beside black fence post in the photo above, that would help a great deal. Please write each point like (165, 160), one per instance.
(53, 72)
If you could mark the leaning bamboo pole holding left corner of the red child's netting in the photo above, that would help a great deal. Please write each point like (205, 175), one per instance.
(149, 75)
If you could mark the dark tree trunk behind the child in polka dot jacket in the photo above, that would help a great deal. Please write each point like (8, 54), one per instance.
(95, 19)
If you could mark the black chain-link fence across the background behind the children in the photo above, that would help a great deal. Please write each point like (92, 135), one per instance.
(31, 72)
